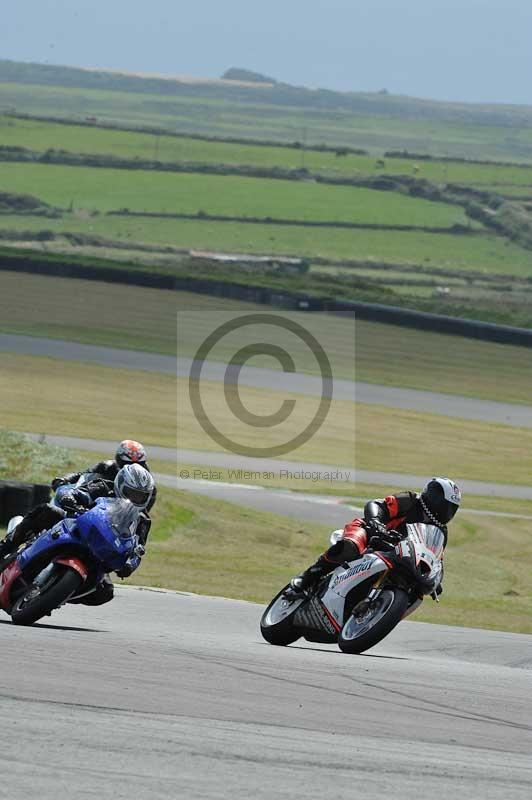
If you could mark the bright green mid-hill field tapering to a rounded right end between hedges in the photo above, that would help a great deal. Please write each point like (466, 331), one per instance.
(107, 189)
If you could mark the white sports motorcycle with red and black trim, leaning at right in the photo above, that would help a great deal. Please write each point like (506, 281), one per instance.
(359, 603)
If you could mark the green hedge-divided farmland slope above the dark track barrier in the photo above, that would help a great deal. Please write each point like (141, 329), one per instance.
(450, 236)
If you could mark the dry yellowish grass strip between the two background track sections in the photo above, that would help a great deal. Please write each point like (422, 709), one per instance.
(48, 395)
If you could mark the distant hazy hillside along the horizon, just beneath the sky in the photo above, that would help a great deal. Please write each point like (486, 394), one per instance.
(255, 110)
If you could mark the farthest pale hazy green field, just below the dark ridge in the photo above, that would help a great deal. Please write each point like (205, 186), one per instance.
(265, 120)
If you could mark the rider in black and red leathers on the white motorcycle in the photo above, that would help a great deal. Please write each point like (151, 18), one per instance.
(383, 519)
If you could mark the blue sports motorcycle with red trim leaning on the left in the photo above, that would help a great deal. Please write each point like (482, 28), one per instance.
(68, 561)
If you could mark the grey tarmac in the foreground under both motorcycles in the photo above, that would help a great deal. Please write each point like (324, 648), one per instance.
(163, 695)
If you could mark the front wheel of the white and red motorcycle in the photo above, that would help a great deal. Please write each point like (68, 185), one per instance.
(368, 626)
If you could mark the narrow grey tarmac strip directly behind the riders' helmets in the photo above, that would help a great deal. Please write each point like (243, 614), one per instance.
(279, 467)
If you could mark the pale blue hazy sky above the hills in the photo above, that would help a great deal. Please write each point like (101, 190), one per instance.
(475, 50)
